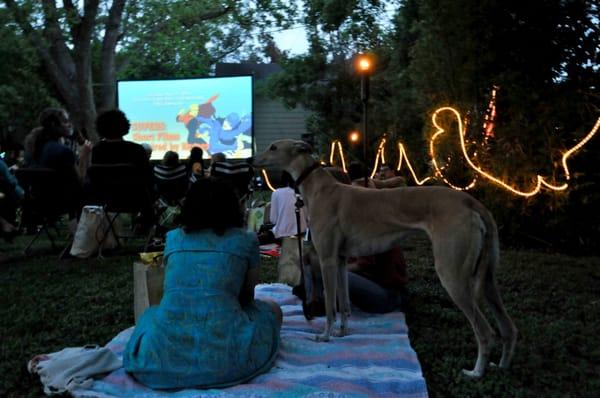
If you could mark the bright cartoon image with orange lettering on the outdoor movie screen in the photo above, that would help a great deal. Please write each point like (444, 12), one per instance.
(175, 115)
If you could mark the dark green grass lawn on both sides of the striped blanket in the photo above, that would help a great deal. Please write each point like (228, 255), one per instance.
(48, 304)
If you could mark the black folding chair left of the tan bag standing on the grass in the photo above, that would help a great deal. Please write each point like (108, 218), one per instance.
(45, 200)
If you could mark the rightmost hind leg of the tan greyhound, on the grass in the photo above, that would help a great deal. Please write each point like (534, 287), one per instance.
(508, 330)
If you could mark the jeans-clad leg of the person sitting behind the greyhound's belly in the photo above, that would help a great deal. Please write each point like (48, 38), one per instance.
(369, 296)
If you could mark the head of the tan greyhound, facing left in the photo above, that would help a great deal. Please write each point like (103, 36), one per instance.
(285, 154)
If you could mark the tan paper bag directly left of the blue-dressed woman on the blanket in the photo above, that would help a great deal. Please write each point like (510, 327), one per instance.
(148, 282)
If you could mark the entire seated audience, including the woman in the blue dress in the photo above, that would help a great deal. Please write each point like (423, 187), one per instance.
(208, 330)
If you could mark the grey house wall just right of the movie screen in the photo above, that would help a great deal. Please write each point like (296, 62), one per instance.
(273, 121)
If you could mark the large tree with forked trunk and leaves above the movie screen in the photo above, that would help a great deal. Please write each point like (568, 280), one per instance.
(84, 45)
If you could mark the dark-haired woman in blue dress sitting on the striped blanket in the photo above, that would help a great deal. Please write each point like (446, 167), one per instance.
(208, 331)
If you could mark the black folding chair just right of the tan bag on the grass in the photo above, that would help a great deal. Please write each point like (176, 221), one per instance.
(121, 188)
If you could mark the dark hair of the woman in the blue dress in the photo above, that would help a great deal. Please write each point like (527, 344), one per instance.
(211, 204)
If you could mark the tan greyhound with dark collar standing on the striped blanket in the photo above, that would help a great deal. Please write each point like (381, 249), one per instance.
(356, 221)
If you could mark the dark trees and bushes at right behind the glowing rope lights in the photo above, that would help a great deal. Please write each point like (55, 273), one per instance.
(543, 55)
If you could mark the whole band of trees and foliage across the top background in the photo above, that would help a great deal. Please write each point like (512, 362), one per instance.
(542, 54)
